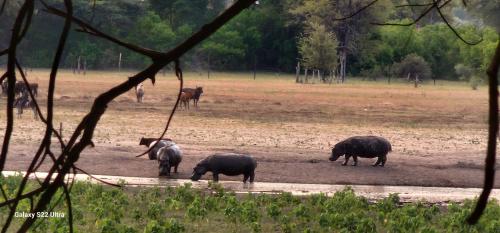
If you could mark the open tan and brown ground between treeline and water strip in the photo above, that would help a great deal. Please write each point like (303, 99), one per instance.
(438, 132)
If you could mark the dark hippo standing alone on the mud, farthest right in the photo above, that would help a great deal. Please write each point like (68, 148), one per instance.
(362, 146)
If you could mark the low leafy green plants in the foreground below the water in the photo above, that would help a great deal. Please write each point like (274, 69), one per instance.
(103, 209)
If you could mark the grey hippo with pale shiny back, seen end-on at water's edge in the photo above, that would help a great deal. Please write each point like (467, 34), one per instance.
(169, 156)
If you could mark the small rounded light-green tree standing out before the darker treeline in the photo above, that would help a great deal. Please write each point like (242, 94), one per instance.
(318, 48)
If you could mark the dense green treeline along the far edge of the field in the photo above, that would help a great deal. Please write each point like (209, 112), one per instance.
(271, 35)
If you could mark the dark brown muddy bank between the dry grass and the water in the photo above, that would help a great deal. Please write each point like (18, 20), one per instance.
(462, 169)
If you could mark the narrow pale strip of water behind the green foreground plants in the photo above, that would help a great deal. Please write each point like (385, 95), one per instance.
(372, 192)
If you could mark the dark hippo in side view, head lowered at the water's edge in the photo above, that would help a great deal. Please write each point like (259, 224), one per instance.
(228, 164)
